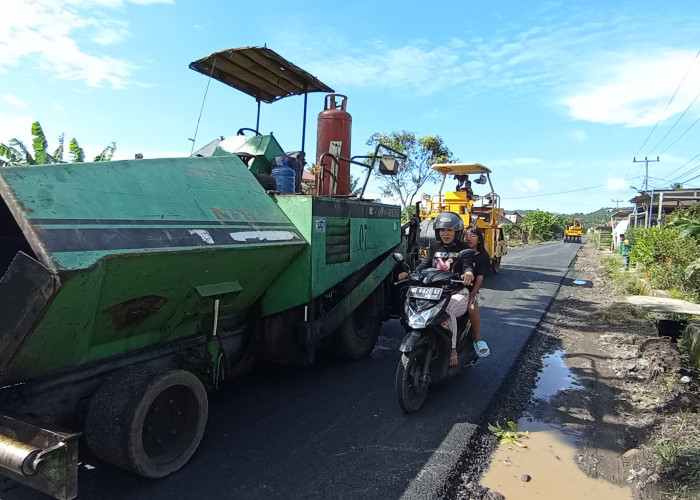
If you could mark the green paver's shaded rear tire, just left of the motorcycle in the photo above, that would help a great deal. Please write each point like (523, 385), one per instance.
(358, 335)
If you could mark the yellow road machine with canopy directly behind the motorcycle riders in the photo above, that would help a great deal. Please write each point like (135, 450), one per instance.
(480, 210)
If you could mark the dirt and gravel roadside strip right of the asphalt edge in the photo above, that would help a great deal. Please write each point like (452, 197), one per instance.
(628, 401)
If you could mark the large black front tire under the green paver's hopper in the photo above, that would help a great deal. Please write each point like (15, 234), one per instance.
(131, 413)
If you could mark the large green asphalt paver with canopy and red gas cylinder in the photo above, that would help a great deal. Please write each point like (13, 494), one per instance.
(130, 290)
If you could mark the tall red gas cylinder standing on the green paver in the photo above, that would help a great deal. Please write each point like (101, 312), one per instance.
(333, 136)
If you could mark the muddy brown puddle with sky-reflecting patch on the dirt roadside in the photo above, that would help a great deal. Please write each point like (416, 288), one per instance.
(547, 467)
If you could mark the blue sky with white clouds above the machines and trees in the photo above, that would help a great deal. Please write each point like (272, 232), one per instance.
(557, 98)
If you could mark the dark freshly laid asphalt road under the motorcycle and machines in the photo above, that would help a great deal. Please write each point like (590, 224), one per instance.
(335, 430)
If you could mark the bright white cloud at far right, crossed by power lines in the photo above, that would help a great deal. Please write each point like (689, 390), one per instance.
(639, 90)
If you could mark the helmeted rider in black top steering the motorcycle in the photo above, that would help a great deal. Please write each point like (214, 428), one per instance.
(442, 254)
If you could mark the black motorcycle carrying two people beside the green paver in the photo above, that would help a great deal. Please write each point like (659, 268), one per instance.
(426, 348)
